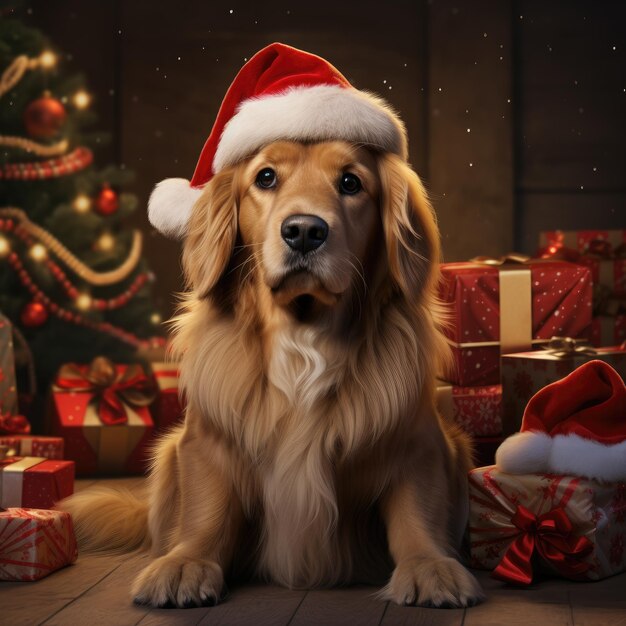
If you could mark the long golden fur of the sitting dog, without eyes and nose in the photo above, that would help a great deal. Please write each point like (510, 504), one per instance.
(311, 452)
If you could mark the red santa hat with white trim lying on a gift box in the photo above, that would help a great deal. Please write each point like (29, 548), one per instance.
(575, 426)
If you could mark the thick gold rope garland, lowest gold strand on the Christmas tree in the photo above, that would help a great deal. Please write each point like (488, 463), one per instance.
(96, 279)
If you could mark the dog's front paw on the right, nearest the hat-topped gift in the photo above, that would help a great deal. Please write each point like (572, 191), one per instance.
(434, 582)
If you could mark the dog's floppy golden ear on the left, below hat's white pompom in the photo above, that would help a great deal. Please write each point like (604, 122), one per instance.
(212, 233)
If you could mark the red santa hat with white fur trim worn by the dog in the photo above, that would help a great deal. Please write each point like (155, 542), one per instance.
(280, 93)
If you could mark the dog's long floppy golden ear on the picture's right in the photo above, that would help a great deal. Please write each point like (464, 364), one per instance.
(411, 233)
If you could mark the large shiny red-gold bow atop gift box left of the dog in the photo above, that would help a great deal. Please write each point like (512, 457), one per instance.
(109, 387)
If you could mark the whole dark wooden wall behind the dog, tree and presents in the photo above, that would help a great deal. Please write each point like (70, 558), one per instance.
(516, 110)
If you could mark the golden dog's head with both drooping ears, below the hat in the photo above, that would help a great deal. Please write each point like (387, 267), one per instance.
(312, 225)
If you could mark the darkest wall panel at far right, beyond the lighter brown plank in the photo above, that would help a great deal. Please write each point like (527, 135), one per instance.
(570, 89)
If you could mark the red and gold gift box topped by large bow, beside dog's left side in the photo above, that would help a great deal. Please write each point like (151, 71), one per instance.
(102, 413)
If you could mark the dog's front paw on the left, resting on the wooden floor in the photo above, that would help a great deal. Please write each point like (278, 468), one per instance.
(179, 582)
